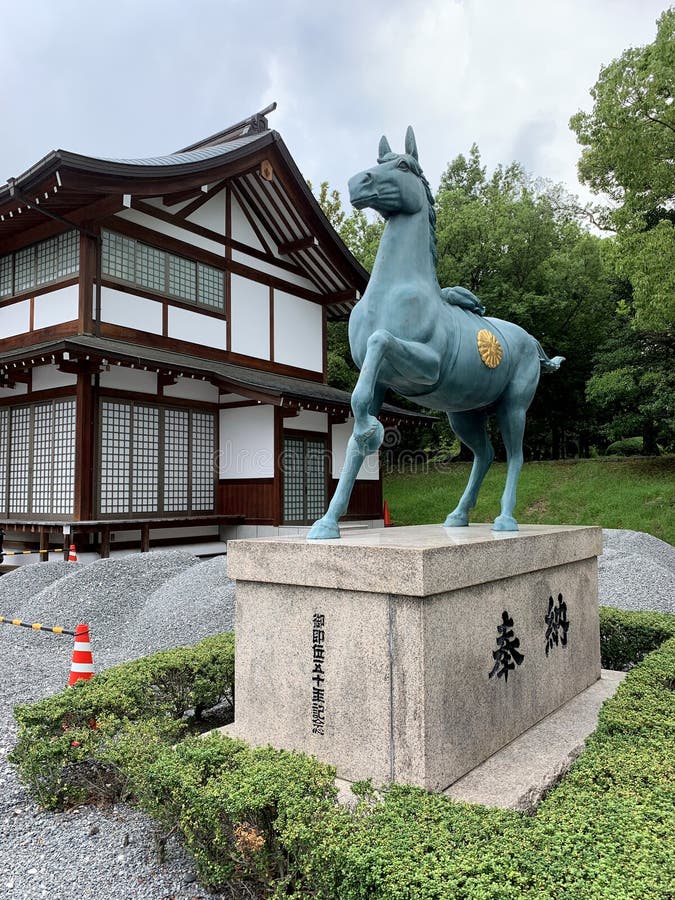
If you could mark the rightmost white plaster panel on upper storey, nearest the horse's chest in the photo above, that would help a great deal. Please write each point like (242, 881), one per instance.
(298, 332)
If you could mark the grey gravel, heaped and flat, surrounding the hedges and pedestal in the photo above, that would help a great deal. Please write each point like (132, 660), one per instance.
(136, 605)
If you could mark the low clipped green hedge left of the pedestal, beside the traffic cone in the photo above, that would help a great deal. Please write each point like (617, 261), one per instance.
(88, 741)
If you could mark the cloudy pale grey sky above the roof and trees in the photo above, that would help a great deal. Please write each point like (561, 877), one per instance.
(139, 78)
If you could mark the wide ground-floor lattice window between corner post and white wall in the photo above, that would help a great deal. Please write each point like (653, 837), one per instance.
(155, 460)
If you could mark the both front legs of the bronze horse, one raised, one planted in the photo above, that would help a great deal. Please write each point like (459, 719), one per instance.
(404, 356)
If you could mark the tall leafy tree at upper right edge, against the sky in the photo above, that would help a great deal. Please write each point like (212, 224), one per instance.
(628, 142)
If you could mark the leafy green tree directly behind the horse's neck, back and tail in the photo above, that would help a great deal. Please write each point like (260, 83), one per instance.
(520, 246)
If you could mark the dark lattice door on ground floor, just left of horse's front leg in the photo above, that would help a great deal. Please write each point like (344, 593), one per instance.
(304, 467)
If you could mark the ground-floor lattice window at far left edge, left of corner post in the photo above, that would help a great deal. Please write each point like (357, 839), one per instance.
(37, 459)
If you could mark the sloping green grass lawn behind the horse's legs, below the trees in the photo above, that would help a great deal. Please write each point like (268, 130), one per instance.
(615, 493)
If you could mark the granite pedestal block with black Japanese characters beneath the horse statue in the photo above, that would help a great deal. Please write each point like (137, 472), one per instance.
(412, 654)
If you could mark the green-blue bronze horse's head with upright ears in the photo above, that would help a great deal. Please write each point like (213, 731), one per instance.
(394, 185)
